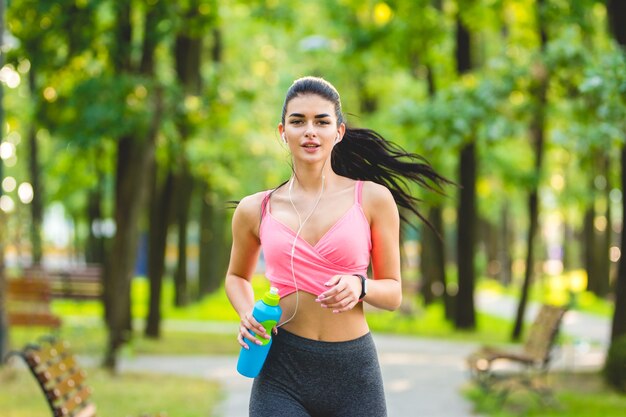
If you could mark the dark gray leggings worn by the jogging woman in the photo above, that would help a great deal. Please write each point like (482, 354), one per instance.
(308, 378)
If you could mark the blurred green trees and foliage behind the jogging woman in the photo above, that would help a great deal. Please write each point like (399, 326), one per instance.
(128, 126)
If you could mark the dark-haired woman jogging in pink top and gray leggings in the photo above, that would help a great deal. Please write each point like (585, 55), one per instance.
(320, 231)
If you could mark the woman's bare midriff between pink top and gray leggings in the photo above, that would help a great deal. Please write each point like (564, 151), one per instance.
(312, 321)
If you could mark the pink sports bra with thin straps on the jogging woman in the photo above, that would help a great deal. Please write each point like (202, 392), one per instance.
(343, 250)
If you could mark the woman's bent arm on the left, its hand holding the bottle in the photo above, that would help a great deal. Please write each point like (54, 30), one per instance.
(243, 258)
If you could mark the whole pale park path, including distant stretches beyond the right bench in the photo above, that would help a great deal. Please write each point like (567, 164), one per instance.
(422, 377)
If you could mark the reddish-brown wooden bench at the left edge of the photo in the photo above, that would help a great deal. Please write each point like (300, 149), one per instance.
(28, 303)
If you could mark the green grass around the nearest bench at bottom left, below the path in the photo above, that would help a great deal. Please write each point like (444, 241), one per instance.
(129, 394)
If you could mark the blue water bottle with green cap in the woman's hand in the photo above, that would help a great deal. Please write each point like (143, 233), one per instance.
(267, 312)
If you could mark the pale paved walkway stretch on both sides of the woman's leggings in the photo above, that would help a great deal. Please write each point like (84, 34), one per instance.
(422, 377)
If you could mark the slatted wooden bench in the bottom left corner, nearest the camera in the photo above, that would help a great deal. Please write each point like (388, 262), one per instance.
(61, 378)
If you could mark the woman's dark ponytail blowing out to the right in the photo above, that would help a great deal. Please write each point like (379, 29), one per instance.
(363, 154)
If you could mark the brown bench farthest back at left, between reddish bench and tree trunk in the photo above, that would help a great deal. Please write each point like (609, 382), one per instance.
(74, 283)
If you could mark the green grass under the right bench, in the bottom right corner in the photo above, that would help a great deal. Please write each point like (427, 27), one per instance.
(577, 395)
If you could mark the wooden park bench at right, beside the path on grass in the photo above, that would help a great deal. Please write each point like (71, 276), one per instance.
(500, 371)
